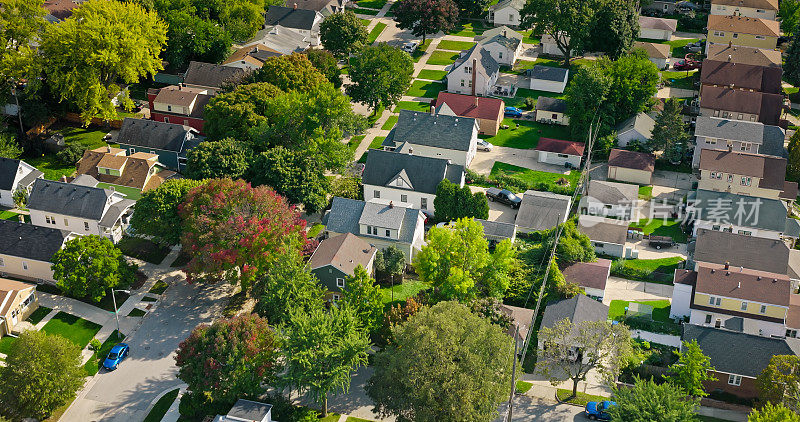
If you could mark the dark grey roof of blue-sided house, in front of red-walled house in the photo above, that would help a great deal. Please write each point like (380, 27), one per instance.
(153, 134)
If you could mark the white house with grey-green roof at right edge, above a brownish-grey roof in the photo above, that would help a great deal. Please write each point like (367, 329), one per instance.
(750, 216)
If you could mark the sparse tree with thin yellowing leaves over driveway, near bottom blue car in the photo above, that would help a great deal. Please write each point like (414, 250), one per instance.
(605, 348)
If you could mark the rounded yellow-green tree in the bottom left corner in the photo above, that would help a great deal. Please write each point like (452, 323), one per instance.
(42, 372)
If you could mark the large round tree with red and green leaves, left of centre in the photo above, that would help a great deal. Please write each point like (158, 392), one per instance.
(233, 231)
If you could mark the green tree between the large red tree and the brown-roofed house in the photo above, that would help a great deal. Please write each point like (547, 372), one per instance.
(287, 285)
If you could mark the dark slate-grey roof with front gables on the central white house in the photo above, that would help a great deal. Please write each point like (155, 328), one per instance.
(423, 173)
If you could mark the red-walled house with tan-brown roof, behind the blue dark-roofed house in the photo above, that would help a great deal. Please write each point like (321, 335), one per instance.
(179, 104)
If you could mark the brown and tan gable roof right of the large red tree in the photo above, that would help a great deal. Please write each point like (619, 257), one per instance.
(344, 252)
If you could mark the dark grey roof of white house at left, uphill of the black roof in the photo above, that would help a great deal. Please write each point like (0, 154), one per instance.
(68, 199)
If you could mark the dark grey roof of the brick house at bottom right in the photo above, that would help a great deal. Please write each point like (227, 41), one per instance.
(735, 353)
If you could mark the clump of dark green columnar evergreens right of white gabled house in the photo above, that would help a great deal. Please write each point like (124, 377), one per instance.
(453, 202)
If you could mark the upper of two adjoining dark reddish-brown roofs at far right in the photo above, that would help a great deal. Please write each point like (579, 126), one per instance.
(741, 76)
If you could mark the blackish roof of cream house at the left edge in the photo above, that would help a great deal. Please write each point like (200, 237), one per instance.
(29, 241)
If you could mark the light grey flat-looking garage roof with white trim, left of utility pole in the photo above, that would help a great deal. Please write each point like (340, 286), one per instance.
(542, 211)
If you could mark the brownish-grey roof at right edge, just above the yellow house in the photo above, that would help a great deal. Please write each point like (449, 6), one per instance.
(718, 247)
